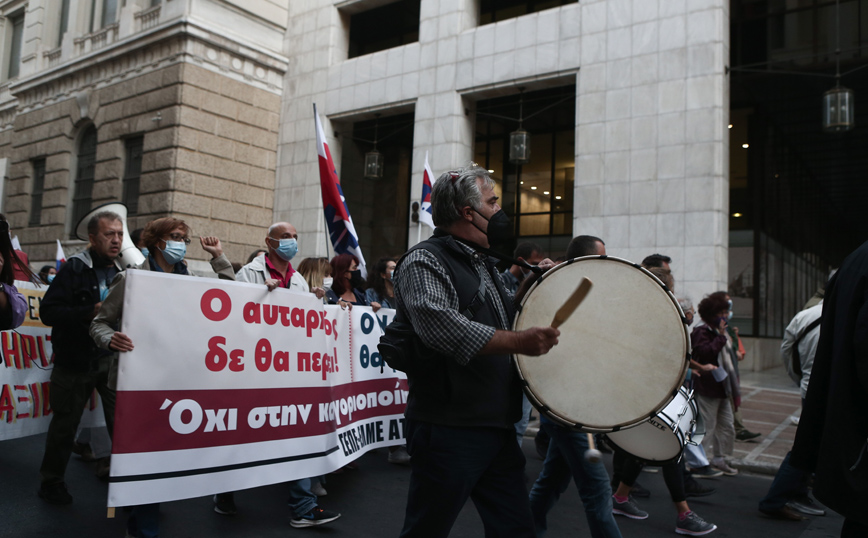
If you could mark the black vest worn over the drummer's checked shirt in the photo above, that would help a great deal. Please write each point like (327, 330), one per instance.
(484, 393)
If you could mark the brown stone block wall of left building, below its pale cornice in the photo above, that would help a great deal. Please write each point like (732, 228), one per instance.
(209, 156)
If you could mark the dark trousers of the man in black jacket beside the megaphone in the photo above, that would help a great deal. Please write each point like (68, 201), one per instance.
(69, 394)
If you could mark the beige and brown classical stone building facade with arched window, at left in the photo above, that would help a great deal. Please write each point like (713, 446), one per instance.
(170, 106)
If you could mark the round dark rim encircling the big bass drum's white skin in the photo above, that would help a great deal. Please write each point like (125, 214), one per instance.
(597, 428)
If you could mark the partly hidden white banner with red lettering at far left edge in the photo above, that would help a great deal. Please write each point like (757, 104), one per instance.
(25, 370)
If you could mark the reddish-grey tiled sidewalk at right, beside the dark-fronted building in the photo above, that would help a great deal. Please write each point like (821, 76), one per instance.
(768, 400)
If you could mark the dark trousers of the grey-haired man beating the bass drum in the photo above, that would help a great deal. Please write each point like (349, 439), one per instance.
(449, 465)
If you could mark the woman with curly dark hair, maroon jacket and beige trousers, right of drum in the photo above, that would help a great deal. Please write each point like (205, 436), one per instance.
(718, 385)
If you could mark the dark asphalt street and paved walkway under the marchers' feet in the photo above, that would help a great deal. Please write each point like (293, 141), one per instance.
(372, 499)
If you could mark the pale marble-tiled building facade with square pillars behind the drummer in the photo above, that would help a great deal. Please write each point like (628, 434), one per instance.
(651, 111)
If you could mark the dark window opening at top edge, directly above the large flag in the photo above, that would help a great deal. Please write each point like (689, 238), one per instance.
(384, 27)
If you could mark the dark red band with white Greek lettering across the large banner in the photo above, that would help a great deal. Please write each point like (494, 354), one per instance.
(156, 421)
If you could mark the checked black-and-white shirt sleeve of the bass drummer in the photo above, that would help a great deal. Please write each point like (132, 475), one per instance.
(425, 293)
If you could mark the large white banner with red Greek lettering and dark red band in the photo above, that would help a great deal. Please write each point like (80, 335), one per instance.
(230, 386)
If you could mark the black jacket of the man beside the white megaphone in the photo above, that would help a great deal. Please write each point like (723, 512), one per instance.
(68, 309)
